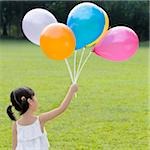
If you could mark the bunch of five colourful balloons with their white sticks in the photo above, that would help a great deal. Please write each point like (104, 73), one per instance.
(87, 27)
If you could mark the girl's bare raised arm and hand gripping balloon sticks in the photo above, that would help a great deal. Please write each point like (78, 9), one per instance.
(63, 106)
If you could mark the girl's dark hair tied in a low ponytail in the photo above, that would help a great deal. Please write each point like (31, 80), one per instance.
(19, 100)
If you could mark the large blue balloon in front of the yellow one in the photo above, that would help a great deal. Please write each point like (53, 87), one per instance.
(87, 21)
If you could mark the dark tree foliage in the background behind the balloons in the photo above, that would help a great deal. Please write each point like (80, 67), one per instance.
(134, 14)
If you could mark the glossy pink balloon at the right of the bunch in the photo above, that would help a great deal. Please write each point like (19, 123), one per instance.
(119, 44)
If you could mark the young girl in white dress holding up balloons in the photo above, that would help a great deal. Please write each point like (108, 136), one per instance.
(28, 133)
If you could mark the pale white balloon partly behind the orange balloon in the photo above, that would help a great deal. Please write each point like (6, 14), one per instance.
(34, 22)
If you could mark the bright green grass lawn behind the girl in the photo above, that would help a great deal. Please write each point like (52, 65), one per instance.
(109, 113)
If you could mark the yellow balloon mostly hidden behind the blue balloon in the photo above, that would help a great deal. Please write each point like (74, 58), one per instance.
(104, 31)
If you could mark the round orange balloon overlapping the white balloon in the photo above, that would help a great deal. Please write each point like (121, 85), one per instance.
(57, 41)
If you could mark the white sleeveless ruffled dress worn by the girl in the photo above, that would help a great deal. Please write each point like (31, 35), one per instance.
(30, 137)
